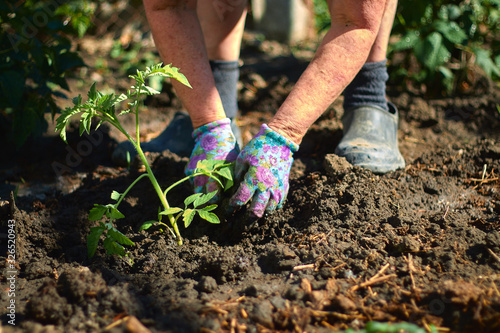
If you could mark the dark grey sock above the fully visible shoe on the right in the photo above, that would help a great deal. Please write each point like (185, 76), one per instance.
(368, 87)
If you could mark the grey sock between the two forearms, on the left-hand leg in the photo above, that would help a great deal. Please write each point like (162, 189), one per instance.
(226, 76)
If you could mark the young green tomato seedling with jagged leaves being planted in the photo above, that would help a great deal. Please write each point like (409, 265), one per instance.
(102, 107)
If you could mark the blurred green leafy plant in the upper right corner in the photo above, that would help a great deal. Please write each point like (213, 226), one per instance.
(445, 46)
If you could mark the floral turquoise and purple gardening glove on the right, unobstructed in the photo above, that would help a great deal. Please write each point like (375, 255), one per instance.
(263, 167)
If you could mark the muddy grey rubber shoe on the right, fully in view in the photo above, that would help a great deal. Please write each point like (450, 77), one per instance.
(370, 138)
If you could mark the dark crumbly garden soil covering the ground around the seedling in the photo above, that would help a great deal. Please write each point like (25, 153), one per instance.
(420, 245)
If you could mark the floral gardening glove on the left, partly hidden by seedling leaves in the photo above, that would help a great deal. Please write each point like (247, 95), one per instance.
(214, 140)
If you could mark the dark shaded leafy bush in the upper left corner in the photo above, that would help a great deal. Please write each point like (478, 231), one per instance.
(35, 59)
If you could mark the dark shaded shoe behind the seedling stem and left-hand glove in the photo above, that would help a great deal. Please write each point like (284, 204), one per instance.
(177, 138)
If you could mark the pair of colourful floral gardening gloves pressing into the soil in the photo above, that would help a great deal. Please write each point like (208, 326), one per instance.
(262, 168)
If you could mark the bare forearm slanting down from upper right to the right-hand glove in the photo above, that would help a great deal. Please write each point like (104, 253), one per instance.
(341, 54)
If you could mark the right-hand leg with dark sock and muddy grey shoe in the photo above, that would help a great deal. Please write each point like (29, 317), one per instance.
(370, 122)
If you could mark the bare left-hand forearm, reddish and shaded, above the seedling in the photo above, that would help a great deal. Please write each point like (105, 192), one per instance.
(179, 40)
